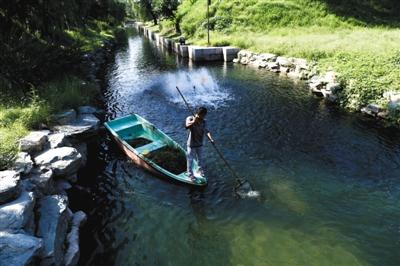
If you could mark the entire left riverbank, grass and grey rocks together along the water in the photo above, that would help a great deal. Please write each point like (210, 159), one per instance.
(41, 152)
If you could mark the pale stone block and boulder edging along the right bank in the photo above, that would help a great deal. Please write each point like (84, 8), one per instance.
(323, 85)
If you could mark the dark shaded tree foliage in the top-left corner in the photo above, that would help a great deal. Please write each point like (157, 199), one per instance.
(34, 41)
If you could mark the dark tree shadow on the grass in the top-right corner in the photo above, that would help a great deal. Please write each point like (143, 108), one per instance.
(367, 12)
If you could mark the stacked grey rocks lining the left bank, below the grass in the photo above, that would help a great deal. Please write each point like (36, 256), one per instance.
(36, 224)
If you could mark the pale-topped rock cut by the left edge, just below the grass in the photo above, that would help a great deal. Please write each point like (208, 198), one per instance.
(9, 185)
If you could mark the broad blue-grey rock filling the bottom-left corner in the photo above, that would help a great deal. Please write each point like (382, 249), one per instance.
(18, 249)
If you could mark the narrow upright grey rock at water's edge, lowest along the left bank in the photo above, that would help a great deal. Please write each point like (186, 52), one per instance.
(72, 255)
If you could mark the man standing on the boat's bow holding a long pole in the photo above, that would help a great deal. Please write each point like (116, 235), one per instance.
(197, 128)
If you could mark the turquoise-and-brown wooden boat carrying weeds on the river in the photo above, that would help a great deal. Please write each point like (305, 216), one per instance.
(141, 141)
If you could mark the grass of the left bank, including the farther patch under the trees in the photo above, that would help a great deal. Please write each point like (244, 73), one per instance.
(21, 111)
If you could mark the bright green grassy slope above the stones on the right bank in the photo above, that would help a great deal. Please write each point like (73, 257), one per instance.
(358, 39)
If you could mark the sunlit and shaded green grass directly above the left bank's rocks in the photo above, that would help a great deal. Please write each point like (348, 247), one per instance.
(18, 117)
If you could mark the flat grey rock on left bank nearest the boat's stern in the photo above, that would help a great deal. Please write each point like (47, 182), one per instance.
(85, 125)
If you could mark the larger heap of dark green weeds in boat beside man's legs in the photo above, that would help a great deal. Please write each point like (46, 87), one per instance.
(169, 158)
